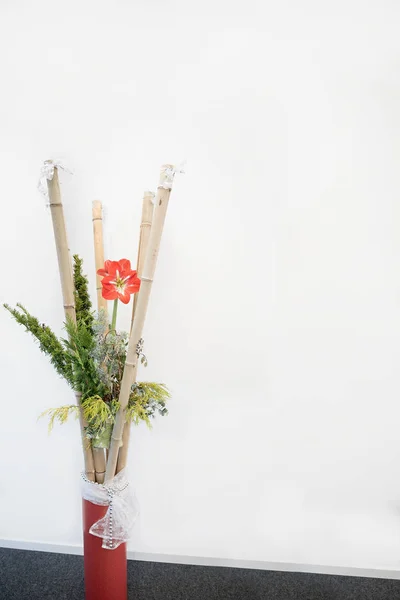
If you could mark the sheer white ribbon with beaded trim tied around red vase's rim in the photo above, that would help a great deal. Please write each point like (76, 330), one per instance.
(116, 526)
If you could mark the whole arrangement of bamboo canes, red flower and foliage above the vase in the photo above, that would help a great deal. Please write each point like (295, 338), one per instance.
(98, 361)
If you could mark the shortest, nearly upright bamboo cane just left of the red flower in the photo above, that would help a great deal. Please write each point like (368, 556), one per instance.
(99, 455)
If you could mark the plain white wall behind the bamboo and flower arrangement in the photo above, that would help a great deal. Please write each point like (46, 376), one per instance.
(275, 312)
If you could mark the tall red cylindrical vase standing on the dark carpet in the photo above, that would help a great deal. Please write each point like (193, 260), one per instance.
(105, 570)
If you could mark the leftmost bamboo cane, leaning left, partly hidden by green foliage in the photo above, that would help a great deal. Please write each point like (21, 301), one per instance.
(67, 287)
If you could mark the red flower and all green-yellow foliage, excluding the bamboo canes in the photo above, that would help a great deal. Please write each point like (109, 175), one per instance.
(91, 359)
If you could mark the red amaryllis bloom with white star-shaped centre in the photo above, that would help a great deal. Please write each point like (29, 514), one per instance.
(119, 281)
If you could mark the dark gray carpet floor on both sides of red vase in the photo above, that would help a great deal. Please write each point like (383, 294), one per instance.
(26, 575)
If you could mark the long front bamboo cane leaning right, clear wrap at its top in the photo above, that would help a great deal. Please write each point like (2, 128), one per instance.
(160, 209)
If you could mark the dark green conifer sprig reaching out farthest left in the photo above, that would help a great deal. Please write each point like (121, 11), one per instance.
(49, 344)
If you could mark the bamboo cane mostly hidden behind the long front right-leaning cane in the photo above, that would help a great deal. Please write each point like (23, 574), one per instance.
(145, 226)
